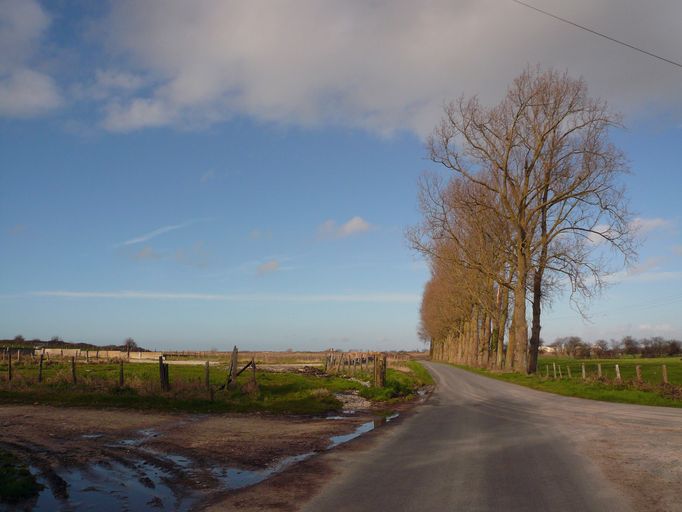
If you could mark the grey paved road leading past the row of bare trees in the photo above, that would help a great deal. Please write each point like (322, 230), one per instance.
(480, 444)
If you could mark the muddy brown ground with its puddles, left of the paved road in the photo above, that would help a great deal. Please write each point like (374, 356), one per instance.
(172, 461)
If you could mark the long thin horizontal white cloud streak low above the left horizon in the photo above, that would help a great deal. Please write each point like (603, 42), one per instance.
(254, 297)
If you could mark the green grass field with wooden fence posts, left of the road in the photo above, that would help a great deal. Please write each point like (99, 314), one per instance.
(278, 392)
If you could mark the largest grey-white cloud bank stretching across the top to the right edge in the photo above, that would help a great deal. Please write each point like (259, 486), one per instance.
(382, 66)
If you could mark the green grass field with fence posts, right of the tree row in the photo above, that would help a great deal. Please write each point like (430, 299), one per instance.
(651, 392)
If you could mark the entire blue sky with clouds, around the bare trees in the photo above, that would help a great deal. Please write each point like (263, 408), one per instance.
(209, 173)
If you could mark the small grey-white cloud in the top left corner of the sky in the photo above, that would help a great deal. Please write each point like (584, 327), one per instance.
(25, 91)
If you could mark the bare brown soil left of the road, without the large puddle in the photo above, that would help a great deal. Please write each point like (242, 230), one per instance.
(51, 439)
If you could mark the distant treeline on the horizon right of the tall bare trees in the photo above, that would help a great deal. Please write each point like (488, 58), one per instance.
(657, 346)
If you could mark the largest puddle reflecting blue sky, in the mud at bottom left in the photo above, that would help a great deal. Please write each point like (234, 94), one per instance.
(113, 487)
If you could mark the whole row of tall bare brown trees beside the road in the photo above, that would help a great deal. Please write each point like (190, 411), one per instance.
(531, 205)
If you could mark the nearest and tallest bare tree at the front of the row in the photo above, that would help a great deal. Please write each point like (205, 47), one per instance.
(544, 156)
